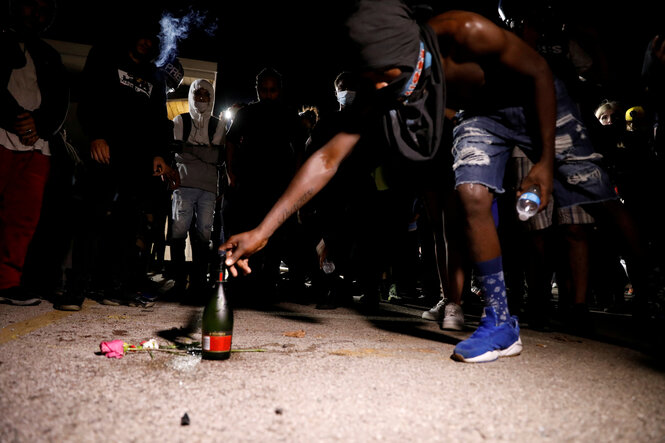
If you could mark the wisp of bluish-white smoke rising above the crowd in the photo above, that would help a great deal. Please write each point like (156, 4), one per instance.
(174, 29)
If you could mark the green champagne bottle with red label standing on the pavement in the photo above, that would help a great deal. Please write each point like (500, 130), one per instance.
(217, 324)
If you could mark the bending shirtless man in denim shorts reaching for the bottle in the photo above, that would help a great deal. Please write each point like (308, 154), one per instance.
(506, 95)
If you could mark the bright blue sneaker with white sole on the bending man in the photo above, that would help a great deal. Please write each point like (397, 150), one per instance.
(490, 341)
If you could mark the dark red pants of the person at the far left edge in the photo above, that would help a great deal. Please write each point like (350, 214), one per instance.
(23, 177)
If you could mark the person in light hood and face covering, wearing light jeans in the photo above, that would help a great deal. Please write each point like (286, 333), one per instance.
(198, 164)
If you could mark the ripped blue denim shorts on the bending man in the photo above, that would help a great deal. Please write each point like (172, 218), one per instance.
(483, 143)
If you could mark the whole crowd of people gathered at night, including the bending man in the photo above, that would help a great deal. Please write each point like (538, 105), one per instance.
(406, 191)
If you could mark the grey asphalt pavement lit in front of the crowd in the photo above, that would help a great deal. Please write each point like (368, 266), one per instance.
(298, 374)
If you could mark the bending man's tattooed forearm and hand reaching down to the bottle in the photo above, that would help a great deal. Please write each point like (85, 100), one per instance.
(314, 174)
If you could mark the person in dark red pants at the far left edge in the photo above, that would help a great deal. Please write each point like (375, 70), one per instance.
(33, 106)
